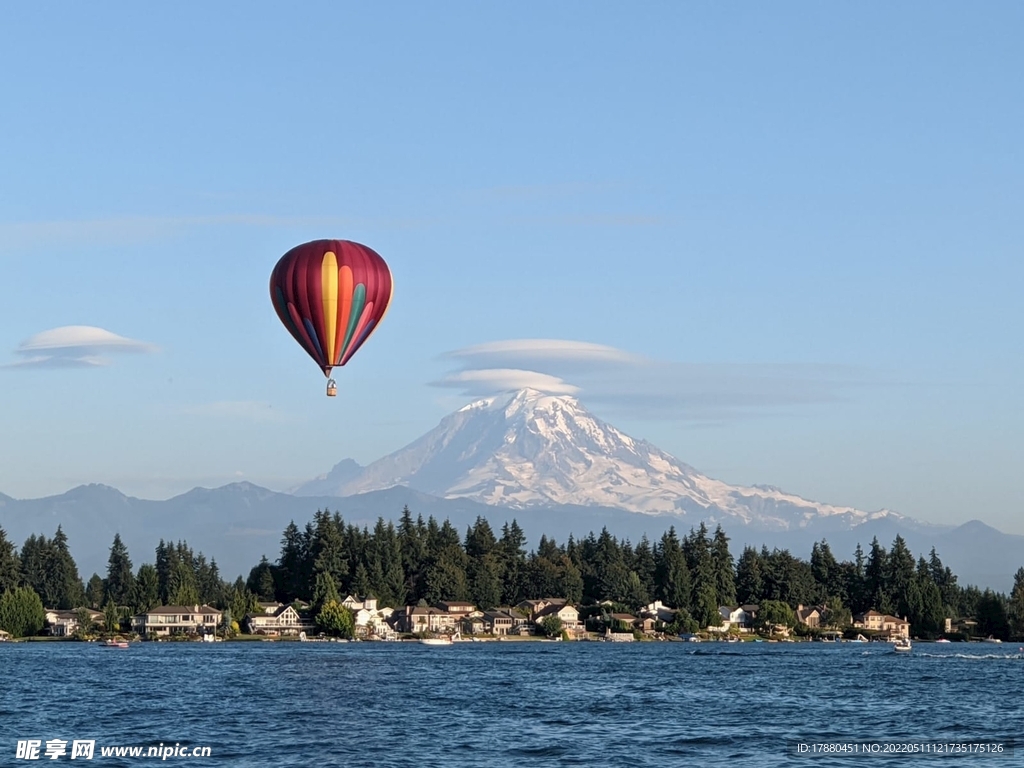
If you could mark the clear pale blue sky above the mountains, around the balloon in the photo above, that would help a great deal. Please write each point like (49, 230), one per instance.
(798, 229)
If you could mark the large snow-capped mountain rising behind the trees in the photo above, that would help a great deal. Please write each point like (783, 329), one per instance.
(530, 449)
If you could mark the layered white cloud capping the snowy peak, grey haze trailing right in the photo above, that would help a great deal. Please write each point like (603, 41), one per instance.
(643, 388)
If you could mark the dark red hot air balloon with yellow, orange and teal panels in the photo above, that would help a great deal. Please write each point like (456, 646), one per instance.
(331, 295)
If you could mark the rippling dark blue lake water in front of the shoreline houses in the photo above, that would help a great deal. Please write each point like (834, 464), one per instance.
(510, 704)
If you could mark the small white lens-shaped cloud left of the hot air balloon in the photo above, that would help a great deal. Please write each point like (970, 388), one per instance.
(75, 347)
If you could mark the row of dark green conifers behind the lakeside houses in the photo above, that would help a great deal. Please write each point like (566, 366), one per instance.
(426, 561)
